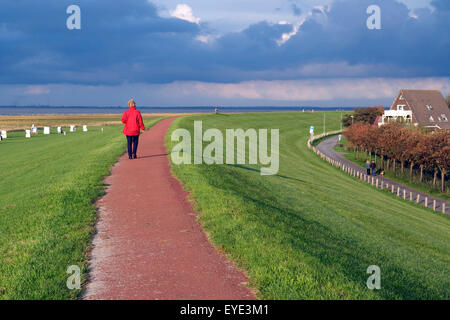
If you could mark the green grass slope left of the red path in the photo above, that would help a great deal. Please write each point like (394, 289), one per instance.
(48, 186)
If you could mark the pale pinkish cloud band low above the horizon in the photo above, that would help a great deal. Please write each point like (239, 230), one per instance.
(332, 92)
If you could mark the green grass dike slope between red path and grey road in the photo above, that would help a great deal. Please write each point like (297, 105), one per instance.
(311, 231)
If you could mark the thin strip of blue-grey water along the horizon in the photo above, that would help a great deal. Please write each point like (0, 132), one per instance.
(45, 110)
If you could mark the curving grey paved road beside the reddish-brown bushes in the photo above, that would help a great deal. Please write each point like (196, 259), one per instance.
(326, 147)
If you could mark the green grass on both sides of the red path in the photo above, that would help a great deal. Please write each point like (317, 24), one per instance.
(309, 232)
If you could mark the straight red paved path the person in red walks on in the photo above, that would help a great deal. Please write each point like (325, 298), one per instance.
(149, 244)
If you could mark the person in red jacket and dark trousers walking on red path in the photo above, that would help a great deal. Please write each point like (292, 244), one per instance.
(132, 119)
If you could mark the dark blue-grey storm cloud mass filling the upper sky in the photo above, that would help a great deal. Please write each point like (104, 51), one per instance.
(128, 41)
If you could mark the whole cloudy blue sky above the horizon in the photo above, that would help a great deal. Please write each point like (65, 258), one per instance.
(230, 52)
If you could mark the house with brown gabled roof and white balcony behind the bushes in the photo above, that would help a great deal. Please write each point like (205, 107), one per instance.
(419, 107)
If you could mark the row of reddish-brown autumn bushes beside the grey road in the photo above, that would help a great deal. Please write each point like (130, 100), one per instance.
(395, 144)
